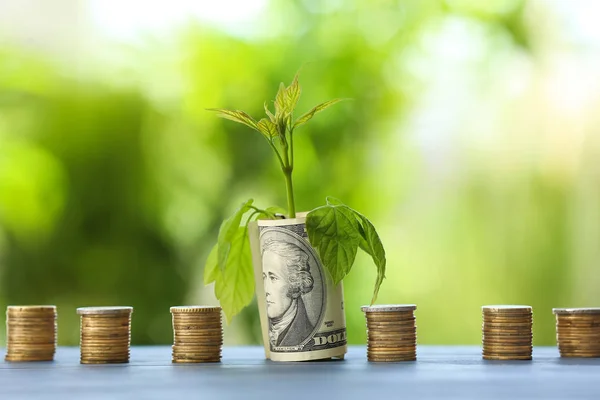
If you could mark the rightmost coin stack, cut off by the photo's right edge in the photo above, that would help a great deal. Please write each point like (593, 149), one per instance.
(578, 331)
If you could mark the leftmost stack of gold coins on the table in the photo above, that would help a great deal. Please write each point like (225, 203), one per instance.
(30, 333)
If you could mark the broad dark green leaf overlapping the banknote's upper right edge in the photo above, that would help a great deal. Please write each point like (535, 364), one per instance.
(333, 231)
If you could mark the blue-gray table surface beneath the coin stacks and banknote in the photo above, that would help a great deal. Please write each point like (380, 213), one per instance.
(445, 372)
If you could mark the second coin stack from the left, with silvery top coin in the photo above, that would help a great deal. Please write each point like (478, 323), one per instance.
(105, 334)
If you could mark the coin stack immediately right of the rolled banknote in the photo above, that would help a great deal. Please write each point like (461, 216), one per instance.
(391, 332)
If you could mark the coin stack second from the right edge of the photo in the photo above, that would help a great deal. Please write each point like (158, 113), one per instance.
(507, 332)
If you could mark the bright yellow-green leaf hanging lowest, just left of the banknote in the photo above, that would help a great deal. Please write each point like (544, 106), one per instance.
(234, 287)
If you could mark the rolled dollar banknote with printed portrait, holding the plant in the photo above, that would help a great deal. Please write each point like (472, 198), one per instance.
(302, 312)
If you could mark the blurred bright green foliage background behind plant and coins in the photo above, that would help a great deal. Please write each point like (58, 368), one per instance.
(472, 144)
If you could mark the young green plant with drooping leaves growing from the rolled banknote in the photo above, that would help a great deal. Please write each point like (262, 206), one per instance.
(335, 230)
